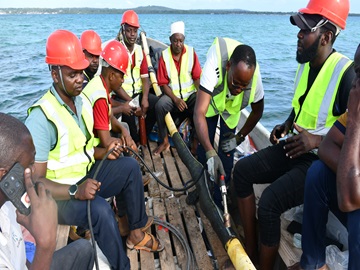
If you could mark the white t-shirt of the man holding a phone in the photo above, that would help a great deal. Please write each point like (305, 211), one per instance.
(12, 246)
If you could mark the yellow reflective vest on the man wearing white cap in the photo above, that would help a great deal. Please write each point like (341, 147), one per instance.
(182, 85)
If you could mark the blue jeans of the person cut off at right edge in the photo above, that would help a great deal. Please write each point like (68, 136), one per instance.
(320, 197)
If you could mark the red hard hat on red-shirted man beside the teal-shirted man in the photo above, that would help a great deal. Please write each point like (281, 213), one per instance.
(115, 54)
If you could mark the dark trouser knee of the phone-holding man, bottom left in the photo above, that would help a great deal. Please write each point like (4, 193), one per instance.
(78, 255)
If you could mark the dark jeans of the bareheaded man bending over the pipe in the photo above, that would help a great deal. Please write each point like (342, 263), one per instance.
(227, 159)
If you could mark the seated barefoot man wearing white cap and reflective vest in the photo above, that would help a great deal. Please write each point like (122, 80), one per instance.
(179, 77)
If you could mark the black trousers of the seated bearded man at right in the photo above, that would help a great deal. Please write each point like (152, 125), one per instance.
(287, 178)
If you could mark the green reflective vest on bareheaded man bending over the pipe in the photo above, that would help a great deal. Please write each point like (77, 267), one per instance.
(229, 109)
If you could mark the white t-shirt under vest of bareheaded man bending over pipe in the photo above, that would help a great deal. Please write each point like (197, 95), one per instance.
(210, 75)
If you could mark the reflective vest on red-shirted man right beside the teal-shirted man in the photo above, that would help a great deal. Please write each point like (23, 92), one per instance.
(95, 90)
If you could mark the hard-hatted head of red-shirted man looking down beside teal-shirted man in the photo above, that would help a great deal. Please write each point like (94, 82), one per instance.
(114, 61)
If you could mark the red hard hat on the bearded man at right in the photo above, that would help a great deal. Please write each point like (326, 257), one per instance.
(336, 11)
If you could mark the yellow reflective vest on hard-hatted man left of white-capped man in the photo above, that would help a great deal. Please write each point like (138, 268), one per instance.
(132, 80)
